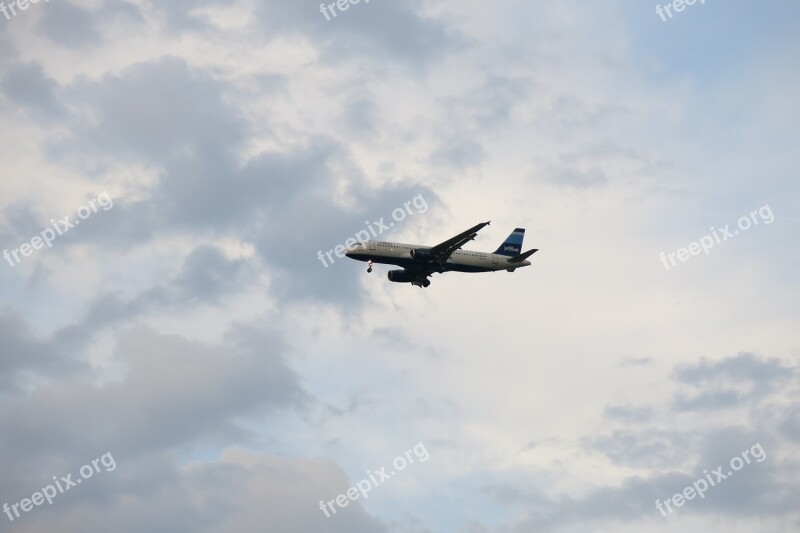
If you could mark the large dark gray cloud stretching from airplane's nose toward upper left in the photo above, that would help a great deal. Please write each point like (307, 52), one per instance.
(181, 123)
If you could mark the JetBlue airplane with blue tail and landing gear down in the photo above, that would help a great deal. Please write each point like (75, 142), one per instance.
(420, 262)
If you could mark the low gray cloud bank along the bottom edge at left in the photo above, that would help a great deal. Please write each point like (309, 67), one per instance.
(241, 492)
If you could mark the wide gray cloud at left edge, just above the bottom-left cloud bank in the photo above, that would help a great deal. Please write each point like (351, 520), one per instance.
(167, 378)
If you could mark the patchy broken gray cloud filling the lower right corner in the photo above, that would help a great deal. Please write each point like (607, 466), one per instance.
(747, 493)
